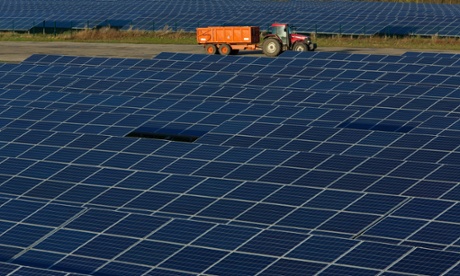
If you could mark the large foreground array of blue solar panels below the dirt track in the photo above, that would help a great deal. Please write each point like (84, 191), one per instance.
(185, 164)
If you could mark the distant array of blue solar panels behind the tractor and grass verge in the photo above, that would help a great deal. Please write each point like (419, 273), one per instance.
(328, 17)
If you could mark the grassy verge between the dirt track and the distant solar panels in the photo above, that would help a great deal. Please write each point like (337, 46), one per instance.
(167, 36)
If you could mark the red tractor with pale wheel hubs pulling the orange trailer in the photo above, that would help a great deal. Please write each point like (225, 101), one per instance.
(281, 37)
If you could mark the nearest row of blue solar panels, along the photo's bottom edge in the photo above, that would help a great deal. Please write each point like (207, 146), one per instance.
(132, 244)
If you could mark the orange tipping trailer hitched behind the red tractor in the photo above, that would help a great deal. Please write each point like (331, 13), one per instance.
(228, 39)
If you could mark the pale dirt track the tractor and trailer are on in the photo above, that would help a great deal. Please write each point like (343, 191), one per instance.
(18, 51)
